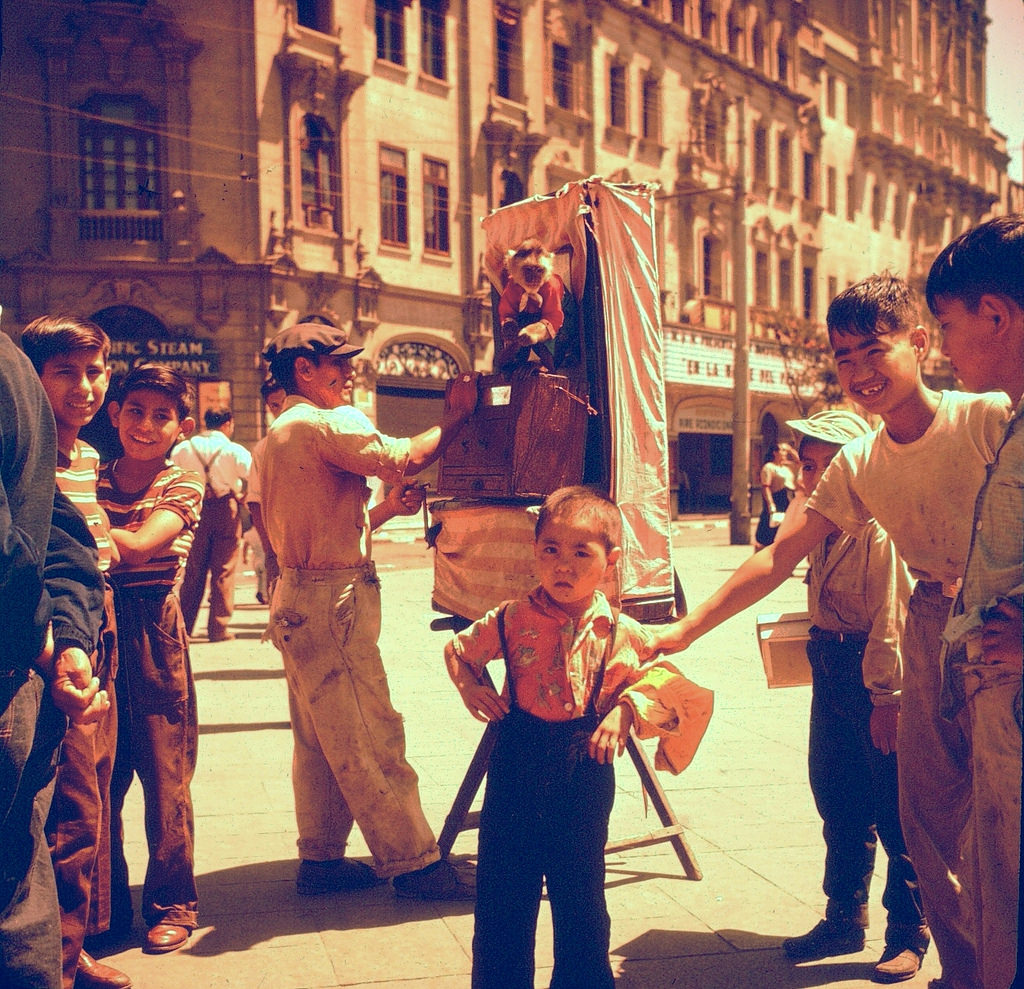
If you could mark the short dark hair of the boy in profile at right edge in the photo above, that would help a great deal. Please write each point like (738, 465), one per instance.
(986, 261)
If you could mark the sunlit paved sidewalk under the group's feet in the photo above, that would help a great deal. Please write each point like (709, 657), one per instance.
(746, 804)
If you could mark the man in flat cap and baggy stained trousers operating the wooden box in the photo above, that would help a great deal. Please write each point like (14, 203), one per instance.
(350, 764)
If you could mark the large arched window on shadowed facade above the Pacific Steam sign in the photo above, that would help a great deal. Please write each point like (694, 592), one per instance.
(119, 155)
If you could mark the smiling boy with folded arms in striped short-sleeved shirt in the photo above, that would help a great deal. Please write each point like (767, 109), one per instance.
(154, 509)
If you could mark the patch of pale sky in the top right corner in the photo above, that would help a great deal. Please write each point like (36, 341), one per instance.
(1005, 76)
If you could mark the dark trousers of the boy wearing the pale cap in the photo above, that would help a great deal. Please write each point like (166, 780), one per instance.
(856, 789)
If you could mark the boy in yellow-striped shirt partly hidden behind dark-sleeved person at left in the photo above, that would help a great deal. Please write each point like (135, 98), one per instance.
(70, 357)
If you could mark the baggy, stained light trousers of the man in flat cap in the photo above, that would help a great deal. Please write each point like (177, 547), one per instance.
(350, 759)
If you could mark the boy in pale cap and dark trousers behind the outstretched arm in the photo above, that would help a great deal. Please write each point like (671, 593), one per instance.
(858, 596)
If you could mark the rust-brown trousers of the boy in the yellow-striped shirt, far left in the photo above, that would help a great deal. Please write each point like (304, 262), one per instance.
(78, 829)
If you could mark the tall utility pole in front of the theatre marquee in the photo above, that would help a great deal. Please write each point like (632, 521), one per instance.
(740, 517)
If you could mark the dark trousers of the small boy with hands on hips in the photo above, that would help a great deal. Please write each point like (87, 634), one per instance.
(545, 816)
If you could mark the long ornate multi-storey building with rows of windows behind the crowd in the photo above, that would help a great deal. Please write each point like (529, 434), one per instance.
(195, 177)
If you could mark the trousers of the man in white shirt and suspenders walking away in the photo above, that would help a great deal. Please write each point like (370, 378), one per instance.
(216, 553)
